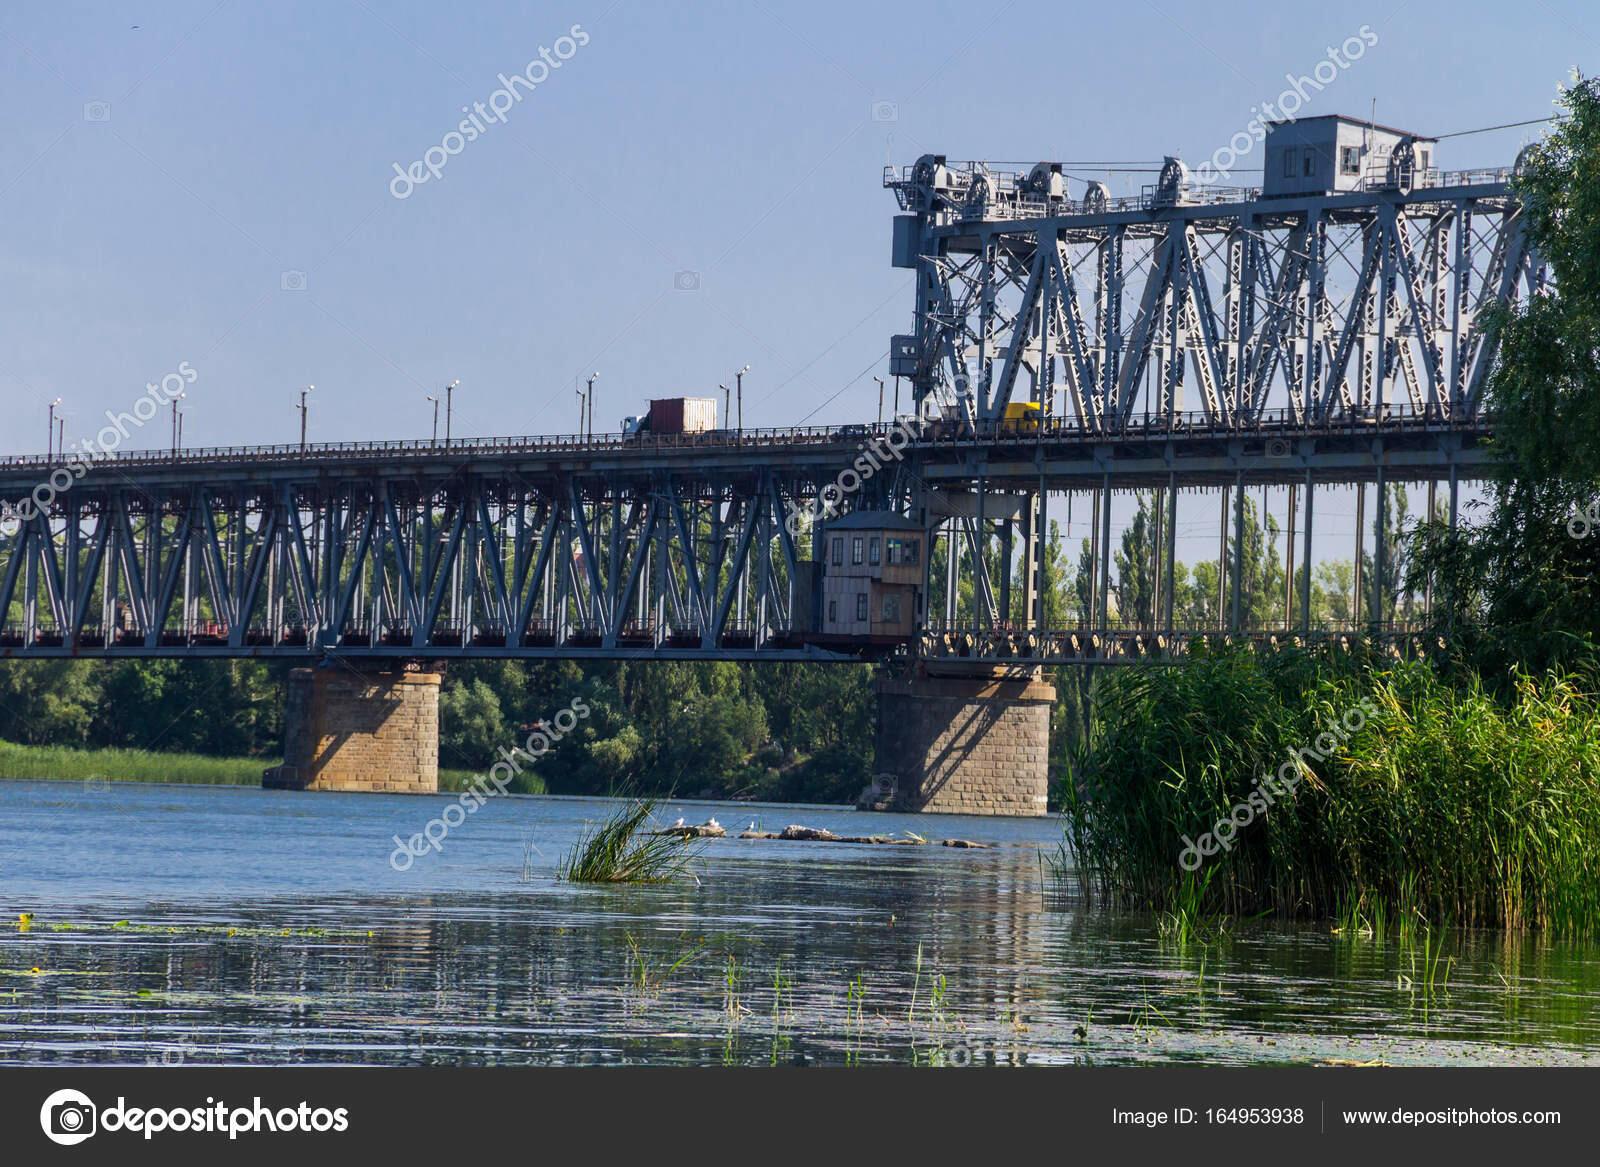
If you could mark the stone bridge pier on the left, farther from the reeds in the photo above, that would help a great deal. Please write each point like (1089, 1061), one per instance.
(359, 731)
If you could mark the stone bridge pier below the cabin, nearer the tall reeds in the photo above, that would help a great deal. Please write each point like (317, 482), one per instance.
(966, 745)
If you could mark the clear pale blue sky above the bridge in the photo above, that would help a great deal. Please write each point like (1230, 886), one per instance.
(742, 142)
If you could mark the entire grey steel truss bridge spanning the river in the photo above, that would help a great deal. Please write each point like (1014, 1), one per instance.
(1178, 343)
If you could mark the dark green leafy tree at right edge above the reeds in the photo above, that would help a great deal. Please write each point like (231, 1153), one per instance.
(1518, 590)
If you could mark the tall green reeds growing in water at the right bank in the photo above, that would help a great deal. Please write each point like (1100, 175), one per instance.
(1450, 806)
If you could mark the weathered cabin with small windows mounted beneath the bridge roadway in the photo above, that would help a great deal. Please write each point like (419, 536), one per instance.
(873, 572)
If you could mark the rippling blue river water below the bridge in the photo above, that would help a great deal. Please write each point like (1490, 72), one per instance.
(226, 926)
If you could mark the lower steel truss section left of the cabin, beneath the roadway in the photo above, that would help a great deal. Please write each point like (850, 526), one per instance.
(466, 563)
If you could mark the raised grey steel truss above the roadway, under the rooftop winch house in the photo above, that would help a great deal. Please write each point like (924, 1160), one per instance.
(1318, 305)
